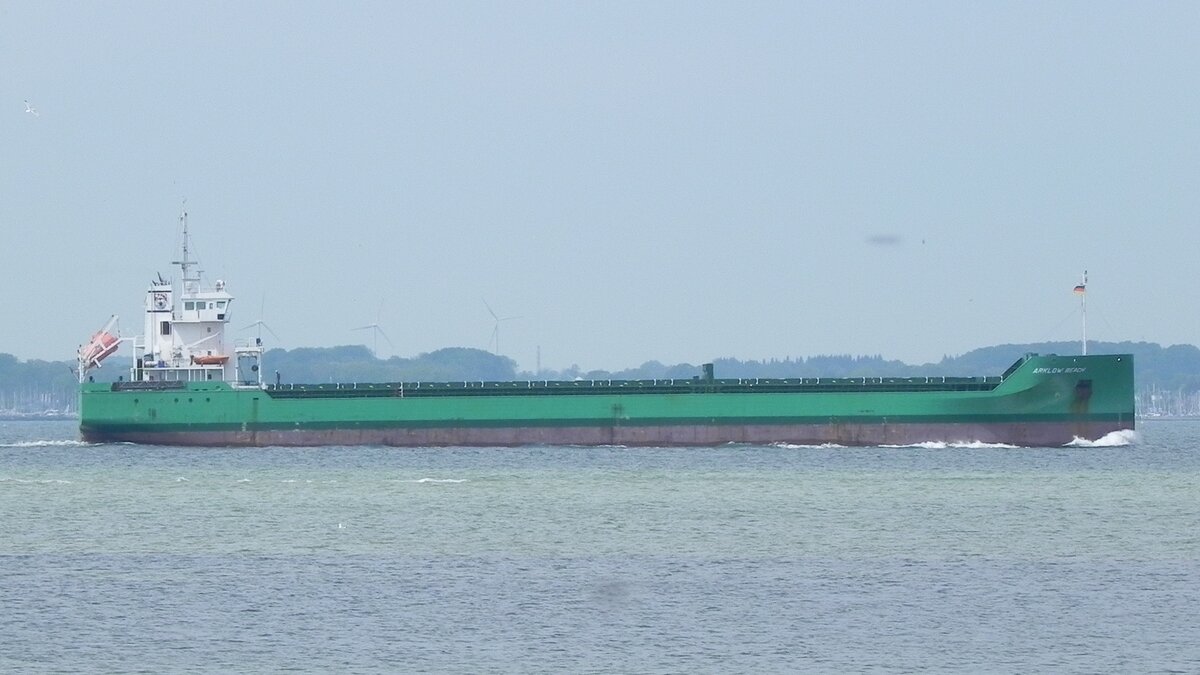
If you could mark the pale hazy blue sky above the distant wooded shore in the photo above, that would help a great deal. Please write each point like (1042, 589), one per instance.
(676, 182)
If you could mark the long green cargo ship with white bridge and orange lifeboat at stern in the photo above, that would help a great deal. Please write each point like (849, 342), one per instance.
(191, 387)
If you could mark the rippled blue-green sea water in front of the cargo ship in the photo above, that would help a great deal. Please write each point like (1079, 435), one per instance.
(739, 559)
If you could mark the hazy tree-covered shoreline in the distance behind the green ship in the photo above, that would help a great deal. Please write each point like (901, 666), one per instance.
(1168, 379)
